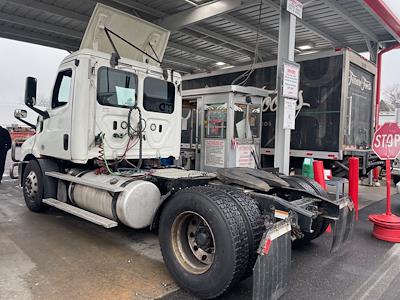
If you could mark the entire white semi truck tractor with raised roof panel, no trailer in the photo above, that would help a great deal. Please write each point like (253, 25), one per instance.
(115, 113)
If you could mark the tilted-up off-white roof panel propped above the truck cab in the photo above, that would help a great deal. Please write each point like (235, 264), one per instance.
(140, 33)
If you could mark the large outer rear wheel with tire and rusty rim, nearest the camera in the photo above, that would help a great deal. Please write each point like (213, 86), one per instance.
(203, 241)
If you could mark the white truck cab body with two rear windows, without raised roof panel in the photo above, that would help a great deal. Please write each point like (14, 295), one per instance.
(90, 97)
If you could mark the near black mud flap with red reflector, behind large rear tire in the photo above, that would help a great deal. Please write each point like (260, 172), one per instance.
(272, 268)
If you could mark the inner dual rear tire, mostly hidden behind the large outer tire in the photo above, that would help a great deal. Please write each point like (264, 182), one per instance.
(254, 221)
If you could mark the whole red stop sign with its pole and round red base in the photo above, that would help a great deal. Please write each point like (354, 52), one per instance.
(386, 144)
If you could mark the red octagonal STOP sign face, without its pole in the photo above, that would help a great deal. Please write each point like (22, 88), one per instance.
(386, 143)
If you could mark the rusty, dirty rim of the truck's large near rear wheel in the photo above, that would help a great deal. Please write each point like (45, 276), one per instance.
(193, 242)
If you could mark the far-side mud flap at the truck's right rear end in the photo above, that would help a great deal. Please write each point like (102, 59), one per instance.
(343, 226)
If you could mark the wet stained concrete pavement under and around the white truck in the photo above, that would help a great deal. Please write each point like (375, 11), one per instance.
(58, 256)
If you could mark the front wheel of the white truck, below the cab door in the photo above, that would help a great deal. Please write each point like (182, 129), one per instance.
(32, 186)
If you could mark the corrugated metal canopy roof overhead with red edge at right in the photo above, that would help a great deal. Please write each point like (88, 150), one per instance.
(206, 34)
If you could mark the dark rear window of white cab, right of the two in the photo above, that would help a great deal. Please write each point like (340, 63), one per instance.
(158, 95)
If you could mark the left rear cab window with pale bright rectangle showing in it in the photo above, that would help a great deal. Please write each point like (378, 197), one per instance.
(116, 88)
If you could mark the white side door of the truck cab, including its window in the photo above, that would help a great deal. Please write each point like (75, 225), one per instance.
(54, 139)
